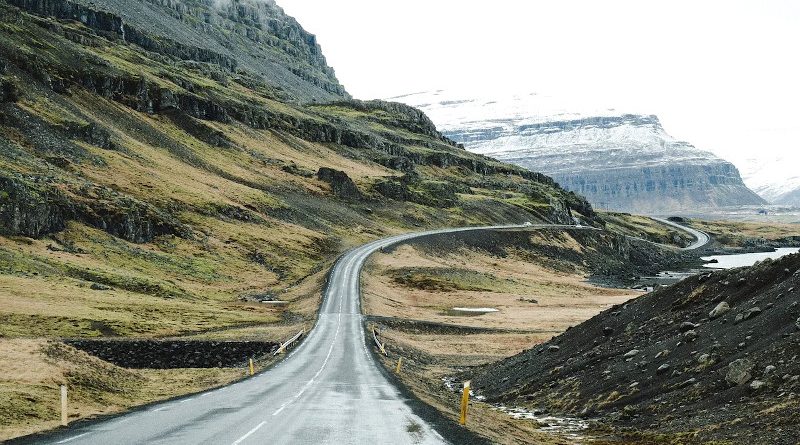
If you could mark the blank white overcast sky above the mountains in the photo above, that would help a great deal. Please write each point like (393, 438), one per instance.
(724, 75)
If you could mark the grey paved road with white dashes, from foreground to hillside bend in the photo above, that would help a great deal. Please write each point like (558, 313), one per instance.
(330, 390)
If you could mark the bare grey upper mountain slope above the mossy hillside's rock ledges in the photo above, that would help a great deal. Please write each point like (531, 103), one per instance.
(252, 37)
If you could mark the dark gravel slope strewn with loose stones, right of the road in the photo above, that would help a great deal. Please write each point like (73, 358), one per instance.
(712, 358)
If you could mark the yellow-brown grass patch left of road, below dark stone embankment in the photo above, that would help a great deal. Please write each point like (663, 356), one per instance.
(32, 371)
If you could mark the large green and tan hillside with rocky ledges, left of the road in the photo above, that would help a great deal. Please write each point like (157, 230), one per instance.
(141, 177)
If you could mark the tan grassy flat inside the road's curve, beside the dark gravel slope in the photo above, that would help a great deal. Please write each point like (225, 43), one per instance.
(408, 291)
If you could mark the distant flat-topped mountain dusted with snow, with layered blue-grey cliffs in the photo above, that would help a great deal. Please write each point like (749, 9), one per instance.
(617, 160)
